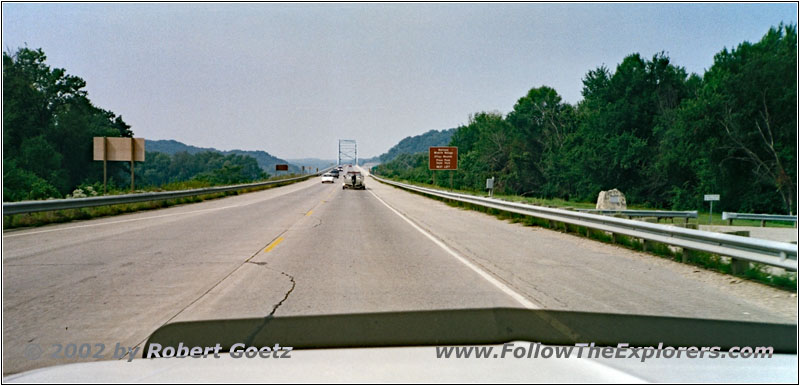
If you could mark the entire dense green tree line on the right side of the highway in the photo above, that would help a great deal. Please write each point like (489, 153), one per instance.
(662, 136)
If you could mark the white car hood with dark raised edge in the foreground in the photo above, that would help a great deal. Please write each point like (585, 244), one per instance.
(397, 347)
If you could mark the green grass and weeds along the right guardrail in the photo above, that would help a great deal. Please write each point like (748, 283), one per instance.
(756, 272)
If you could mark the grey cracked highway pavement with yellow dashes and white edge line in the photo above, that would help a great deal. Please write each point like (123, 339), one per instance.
(312, 248)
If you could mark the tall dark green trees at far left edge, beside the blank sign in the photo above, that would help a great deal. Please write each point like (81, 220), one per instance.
(48, 125)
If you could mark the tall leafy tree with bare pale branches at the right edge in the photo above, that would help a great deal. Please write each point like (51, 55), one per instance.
(751, 94)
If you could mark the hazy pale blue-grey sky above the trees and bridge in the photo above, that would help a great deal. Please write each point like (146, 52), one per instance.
(291, 79)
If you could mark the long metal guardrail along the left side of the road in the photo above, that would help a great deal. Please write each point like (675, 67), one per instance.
(10, 208)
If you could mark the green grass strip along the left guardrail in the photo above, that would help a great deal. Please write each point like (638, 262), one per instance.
(61, 216)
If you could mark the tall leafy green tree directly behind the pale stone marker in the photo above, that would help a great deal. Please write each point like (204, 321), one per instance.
(622, 118)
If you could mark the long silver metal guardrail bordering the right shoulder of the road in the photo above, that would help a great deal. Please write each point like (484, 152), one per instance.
(773, 253)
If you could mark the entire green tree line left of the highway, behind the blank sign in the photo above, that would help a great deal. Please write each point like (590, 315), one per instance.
(48, 126)
